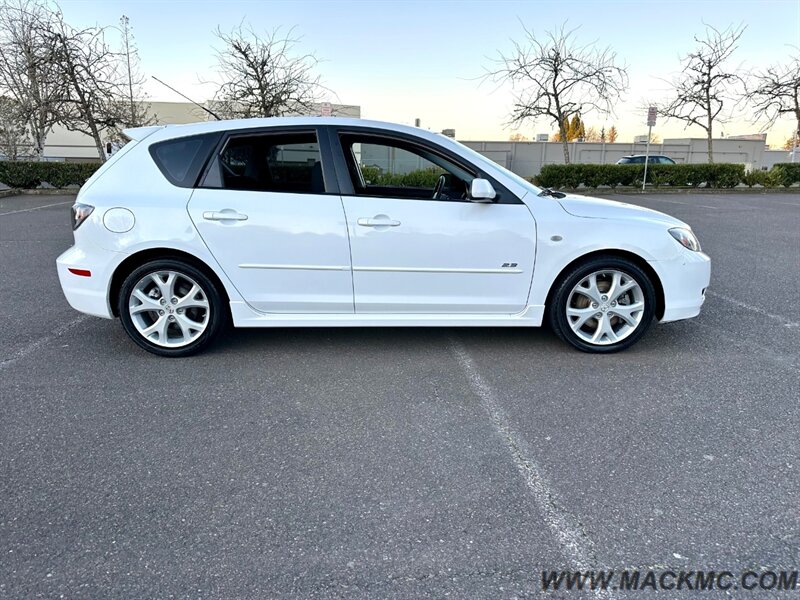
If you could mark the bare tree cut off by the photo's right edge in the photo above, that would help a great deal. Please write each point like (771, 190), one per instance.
(775, 92)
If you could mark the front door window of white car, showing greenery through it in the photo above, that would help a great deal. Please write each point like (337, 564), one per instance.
(390, 168)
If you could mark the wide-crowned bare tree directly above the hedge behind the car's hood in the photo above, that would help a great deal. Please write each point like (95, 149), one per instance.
(556, 78)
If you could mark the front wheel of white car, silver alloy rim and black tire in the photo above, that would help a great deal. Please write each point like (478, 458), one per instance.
(603, 305)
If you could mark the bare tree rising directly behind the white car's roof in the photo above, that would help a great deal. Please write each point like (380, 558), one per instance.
(263, 76)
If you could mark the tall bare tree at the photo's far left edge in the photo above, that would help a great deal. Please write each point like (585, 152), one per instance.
(28, 73)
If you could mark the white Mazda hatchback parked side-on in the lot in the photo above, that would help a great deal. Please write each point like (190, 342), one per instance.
(299, 222)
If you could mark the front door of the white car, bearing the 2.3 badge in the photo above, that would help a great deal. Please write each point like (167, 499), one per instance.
(419, 245)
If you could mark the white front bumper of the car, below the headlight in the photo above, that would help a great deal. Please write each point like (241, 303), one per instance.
(685, 280)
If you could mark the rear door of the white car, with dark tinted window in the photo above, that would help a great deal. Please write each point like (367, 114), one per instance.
(275, 223)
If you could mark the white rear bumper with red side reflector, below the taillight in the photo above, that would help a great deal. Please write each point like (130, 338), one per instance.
(86, 294)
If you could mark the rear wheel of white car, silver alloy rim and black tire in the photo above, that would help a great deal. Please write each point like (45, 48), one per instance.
(170, 308)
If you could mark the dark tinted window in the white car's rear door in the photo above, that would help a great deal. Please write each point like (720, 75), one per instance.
(287, 163)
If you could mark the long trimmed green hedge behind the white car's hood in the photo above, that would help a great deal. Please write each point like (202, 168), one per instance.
(572, 176)
